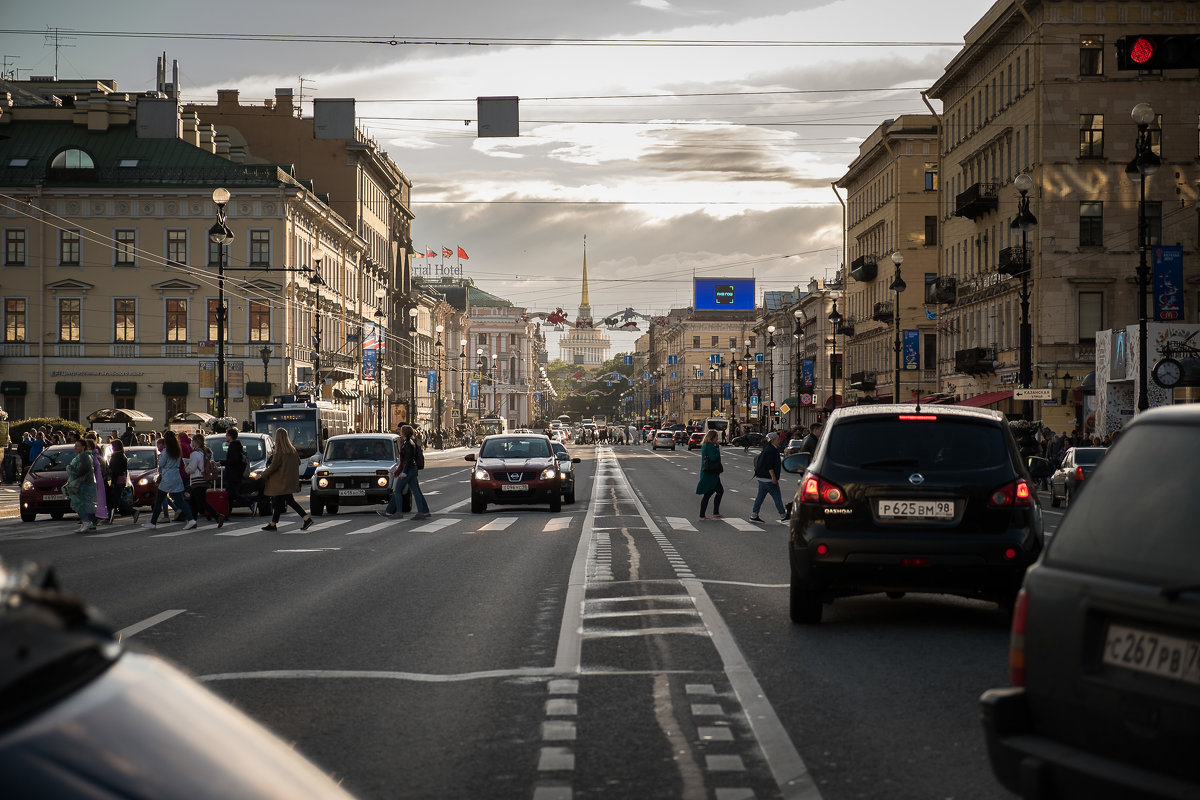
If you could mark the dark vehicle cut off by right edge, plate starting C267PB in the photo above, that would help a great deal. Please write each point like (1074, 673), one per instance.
(1106, 696)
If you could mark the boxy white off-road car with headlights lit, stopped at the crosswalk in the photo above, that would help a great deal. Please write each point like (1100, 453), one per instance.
(355, 470)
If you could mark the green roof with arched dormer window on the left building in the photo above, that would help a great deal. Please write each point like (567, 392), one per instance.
(164, 163)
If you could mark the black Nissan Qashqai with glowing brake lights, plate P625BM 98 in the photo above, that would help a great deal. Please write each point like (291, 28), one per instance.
(899, 500)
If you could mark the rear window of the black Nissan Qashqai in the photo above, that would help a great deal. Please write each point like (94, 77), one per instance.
(941, 444)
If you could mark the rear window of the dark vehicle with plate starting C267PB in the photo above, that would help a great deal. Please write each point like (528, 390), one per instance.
(1138, 518)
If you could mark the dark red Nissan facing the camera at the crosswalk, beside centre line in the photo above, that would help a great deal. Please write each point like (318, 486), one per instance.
(515, 470)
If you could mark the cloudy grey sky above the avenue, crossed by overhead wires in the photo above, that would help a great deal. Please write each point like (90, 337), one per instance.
(683, 139)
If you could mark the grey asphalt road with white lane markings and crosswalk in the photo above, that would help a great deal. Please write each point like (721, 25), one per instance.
(617, 649)
